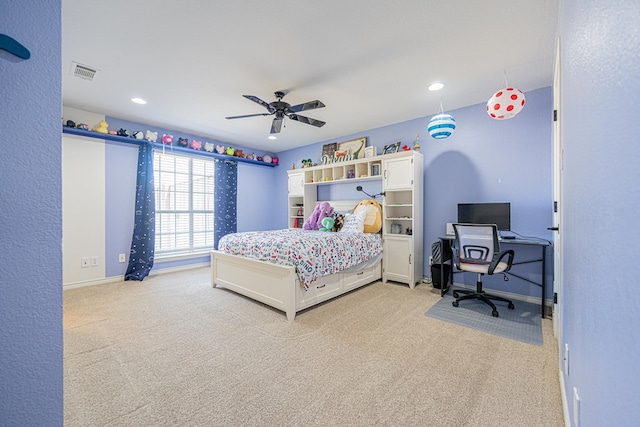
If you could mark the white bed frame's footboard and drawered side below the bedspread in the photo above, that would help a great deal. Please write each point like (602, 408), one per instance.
(279, 286)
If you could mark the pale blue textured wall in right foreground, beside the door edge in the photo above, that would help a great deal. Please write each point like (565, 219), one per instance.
(599, 117)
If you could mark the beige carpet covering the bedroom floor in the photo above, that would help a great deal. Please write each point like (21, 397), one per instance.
(172, 351)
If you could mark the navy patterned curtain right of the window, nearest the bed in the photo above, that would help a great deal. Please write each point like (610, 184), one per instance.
(225, 196)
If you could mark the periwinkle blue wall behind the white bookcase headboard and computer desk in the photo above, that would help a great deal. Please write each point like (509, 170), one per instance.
(485, 160)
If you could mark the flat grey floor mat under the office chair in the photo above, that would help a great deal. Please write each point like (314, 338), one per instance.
(523, 323)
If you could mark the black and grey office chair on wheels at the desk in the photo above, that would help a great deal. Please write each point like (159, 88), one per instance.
(476, 248)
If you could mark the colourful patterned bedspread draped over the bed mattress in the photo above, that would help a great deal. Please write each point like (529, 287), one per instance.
(313, 253)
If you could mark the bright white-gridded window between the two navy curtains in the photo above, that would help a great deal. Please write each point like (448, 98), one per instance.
(184, 204)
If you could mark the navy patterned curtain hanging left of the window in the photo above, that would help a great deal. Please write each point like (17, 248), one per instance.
(144, 233)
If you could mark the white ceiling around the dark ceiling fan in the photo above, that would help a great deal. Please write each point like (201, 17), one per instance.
(369, 62)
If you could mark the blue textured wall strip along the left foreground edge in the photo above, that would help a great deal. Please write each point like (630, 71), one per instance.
(31, 354)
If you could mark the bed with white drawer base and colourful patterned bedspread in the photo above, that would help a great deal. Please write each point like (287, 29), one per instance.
(277, 269)
